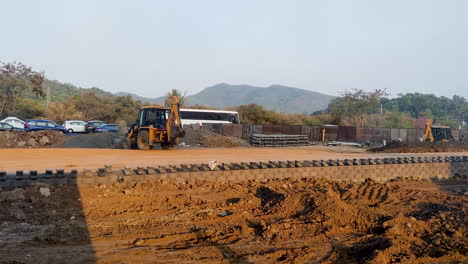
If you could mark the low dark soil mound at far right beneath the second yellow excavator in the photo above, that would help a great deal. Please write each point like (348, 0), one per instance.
(422, 147)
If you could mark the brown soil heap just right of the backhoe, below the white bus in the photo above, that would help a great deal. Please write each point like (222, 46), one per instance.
(196, 136)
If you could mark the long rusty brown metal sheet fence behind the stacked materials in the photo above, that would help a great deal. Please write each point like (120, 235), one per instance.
(332, 133)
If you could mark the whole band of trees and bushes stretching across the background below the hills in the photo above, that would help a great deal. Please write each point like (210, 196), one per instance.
(22, 94)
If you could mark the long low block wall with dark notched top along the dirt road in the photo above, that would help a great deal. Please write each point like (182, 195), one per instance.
(358, 170)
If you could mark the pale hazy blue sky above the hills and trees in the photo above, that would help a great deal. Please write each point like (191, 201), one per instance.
(149, 47)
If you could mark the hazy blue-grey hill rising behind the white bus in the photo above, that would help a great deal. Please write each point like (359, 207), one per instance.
(275, 97)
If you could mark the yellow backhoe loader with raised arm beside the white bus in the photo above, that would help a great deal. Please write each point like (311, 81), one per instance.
(156, 125)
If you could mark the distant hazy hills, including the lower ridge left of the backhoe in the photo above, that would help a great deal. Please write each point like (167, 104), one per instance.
(275, 97)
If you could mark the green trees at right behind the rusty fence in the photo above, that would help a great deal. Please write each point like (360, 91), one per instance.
(361, 108)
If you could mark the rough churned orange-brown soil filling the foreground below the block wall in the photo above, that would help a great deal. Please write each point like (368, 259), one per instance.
(281, 221)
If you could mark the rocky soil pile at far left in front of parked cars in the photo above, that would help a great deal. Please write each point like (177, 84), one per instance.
(34, 139)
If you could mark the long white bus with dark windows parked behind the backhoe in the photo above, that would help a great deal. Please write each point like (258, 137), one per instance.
(200, 116)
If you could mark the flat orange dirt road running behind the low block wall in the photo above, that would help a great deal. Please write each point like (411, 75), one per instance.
(41, 159)
